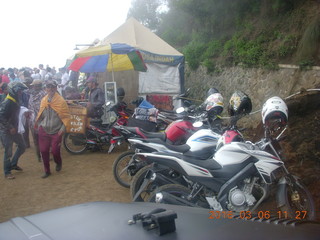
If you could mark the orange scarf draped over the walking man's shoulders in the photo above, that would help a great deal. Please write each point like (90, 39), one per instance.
(59, 105)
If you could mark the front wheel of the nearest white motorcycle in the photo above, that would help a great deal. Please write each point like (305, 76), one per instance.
(298, 202)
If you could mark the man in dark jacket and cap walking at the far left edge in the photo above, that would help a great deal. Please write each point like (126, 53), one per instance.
(9, 120)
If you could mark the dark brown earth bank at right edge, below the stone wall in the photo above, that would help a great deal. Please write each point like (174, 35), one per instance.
(301, 145)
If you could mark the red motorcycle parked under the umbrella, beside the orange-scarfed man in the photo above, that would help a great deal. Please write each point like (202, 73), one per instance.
(98, 135)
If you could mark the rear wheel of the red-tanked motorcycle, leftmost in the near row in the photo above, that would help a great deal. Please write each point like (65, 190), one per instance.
(122, 171)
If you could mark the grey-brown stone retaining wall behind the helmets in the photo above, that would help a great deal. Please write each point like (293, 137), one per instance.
(259, 84)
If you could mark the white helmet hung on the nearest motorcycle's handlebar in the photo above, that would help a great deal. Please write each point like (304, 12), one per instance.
(274, 108)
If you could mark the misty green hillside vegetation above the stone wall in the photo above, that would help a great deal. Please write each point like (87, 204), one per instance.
(247, 32)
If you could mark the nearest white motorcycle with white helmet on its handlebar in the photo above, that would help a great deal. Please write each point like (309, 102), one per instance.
(239, 177)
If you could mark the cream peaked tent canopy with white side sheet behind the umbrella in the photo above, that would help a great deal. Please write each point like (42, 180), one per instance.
(165, 64)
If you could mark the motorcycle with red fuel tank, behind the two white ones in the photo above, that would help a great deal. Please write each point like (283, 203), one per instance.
(128, 163)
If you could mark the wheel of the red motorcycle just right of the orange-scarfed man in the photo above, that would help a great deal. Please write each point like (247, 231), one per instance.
(75, 143)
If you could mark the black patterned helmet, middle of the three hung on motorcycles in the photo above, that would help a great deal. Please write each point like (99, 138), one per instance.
(239, 103)
